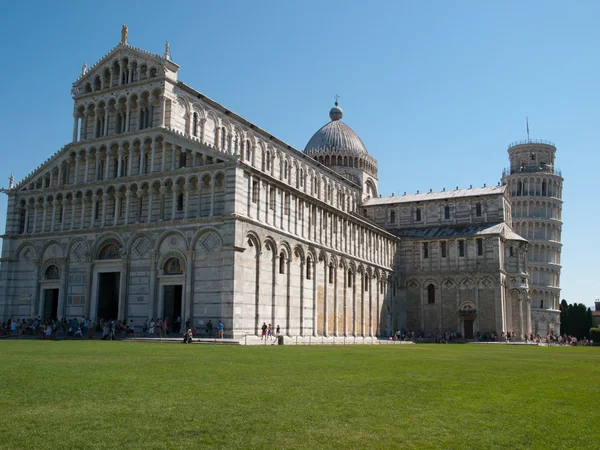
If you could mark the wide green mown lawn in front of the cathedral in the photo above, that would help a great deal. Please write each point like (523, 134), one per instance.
(96, 394)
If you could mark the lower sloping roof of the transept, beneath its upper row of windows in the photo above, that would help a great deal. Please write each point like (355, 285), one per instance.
(485, 229)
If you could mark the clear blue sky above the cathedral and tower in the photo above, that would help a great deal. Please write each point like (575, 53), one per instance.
(435, 89)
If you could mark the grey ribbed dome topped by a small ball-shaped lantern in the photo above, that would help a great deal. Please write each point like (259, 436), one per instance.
(336, 137)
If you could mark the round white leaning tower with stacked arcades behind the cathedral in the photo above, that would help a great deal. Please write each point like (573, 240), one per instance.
(535, 190)
